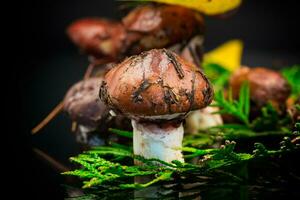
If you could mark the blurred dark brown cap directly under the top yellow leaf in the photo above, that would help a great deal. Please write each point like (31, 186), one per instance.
(158, 26)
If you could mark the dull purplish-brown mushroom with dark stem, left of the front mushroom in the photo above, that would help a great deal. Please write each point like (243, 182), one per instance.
(84, 107)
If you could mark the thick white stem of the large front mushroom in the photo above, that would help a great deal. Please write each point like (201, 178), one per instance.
(152, 141)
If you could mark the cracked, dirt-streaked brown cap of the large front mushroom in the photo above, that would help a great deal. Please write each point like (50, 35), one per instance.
(157, 84)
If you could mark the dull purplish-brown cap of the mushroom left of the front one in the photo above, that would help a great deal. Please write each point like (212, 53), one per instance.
(83, 104)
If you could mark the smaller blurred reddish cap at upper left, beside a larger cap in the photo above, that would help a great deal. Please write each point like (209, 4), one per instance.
(98, 37)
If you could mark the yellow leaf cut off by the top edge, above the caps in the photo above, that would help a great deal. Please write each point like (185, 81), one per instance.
(208, 7)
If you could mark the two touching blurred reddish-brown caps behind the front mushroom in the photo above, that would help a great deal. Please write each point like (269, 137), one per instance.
(145, 27)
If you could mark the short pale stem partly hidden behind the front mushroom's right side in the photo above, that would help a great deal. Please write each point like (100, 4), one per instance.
(202, 119)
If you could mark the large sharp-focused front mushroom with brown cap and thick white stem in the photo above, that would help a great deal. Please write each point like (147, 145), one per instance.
(156, 89)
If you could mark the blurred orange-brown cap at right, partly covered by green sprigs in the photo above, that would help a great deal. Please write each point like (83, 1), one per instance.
(265, 85)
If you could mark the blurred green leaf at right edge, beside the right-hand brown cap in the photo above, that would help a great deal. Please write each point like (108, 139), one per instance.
(292, 75)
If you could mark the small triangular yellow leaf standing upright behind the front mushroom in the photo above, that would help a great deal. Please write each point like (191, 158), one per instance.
(229, 55)
